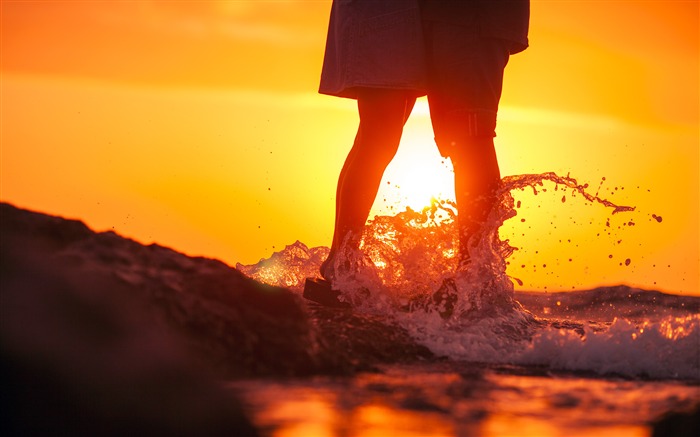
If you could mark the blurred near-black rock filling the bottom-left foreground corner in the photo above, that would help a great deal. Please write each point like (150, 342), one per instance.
(80, 355)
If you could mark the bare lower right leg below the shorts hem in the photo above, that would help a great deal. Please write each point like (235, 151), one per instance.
(476, 179)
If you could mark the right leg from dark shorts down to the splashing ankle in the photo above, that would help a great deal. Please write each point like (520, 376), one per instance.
(464, 90)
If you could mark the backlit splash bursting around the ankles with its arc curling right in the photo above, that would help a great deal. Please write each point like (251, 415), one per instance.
(411, 259)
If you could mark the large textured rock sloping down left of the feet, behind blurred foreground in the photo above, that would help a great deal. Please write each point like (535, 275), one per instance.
(230, 323)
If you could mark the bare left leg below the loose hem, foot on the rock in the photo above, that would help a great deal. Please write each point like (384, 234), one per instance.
(383, 113)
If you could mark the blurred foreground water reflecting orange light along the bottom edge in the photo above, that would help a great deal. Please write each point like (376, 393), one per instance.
(446, 400)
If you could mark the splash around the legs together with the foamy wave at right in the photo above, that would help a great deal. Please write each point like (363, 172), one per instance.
(407, 270)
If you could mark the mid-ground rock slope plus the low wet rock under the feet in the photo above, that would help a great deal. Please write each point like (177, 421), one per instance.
(218, 318)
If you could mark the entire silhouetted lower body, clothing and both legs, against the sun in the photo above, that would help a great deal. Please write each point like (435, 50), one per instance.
(385, 54)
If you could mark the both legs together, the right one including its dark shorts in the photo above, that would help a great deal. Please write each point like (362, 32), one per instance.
(465, 77)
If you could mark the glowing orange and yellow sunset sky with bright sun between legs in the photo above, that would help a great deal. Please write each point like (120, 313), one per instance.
(197, 125)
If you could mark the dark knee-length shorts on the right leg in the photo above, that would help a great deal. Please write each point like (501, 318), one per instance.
(465, 79)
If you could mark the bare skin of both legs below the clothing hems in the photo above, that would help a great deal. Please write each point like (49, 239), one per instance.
(383, 113)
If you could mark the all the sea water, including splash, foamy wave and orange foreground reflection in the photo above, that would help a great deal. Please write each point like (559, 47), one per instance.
(509, 369)
